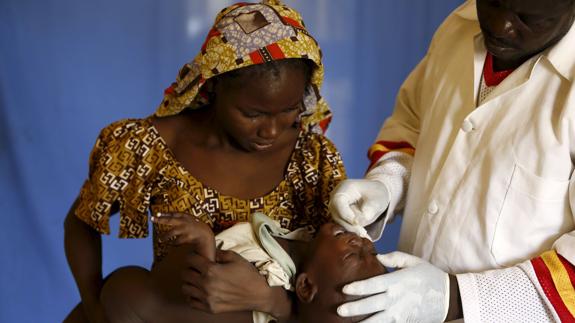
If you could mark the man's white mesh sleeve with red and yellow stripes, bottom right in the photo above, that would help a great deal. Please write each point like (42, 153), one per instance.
(531, 291)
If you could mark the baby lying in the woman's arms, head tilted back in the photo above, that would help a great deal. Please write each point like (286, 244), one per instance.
(315, 271)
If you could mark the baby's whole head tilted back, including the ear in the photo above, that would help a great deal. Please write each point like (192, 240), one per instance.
(335, 258)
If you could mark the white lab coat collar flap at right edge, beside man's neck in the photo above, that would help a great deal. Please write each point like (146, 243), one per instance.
(561, 55)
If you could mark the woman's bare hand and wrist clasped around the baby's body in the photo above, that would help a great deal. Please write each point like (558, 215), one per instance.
(231, 284)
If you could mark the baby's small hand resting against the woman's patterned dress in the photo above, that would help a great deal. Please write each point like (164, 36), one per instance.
(181, 228)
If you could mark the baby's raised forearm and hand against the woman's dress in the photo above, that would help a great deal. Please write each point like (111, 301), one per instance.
(183, 229)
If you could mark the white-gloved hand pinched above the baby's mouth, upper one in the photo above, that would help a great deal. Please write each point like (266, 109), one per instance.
(359, 202)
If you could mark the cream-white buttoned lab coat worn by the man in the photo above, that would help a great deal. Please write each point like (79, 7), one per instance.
(491, 185)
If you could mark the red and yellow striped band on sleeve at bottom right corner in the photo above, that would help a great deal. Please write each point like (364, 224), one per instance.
(557, 278)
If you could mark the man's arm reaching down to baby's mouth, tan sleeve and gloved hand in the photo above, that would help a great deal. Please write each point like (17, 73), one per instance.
(383, 191)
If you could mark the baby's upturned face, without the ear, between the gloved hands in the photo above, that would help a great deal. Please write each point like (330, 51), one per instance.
(340, 257)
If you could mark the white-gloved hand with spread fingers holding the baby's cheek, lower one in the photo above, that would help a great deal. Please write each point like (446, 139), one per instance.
(418, 292)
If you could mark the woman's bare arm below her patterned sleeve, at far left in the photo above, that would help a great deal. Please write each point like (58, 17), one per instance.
(83, 249)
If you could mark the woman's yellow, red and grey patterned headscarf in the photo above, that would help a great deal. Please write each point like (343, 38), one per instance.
(246, 34)
